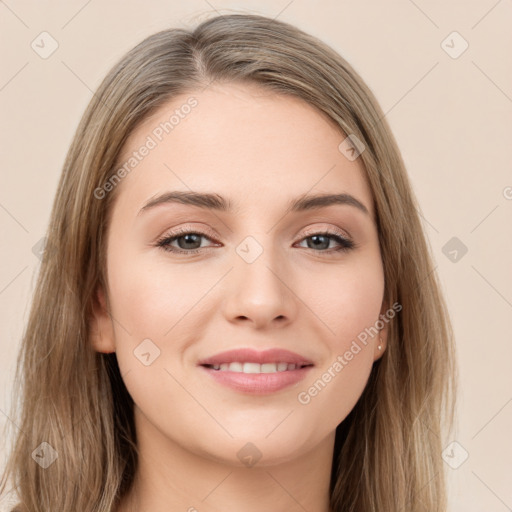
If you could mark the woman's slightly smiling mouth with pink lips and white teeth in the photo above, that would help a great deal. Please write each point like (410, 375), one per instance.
(256, 372)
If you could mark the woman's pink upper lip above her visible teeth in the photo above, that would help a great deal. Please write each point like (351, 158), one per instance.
(248, 355)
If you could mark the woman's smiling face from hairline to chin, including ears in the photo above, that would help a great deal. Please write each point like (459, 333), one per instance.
(253, 274)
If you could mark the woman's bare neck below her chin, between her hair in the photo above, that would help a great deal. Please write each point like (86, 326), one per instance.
(169, 477)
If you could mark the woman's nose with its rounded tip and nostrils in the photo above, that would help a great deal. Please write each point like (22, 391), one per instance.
(260, 292)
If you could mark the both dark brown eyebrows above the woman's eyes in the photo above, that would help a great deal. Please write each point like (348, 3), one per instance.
(219, 203)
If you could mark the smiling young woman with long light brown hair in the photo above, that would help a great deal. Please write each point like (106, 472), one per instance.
(300, 359)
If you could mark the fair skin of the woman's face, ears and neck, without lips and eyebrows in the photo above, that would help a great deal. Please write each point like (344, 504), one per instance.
(259, 150)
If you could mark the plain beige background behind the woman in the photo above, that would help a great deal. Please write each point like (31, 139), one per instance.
(451, 117)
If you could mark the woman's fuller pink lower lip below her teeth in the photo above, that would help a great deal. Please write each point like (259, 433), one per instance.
(258, 383)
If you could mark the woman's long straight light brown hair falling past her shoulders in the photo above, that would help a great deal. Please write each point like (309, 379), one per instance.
(388, 450)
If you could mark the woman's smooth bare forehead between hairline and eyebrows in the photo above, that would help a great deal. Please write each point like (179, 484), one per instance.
(245, 142)
